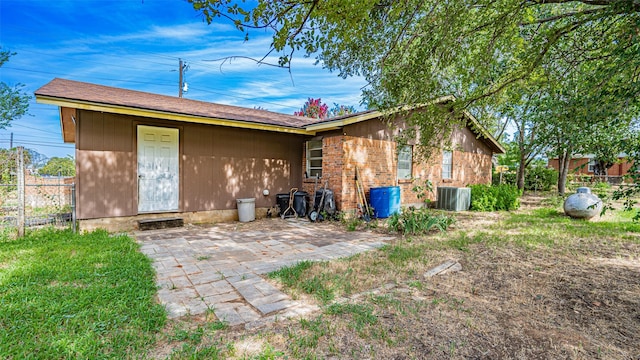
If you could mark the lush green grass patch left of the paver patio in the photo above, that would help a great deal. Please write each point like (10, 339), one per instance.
(81, 296)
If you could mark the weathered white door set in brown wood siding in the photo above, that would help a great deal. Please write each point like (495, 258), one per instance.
(158, 169)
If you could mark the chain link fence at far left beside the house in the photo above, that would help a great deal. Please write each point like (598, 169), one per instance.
(32, 200)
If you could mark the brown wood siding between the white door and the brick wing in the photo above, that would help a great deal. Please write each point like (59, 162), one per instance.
(224, 164)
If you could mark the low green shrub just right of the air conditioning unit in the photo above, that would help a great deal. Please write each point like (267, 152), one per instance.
(495, 198)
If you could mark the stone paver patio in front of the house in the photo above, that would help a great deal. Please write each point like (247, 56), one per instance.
(218, 267)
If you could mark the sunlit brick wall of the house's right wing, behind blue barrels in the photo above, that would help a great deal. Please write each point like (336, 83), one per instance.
(376, 161)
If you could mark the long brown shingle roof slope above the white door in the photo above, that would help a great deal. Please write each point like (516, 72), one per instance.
(106, 95)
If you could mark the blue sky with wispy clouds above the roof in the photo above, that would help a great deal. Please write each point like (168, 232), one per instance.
(136, 44)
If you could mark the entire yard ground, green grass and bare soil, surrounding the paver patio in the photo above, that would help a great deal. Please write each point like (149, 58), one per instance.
(91, 296)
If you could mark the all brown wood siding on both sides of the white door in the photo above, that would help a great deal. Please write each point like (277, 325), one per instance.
(218, 165)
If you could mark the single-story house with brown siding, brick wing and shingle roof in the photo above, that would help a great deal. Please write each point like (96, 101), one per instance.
(143, 156)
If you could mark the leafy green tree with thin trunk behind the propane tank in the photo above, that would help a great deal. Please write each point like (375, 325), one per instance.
(575, 115)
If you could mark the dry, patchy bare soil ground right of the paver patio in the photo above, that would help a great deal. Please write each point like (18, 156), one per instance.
(571, 293)
